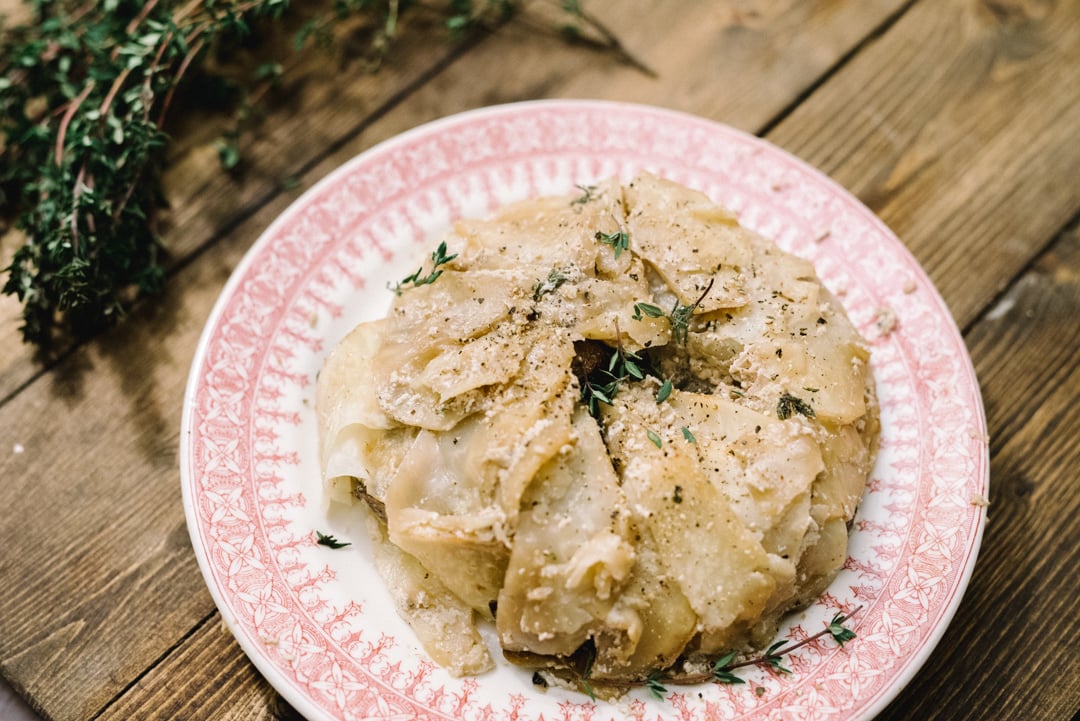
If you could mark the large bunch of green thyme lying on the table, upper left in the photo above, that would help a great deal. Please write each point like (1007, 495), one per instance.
(85, 91)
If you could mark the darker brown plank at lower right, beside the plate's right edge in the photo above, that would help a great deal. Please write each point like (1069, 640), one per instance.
(1006, 656)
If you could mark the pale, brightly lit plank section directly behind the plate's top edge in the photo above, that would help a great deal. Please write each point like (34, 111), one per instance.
(740, 62)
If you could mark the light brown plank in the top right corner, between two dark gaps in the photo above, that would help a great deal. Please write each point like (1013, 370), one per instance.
(958, 128)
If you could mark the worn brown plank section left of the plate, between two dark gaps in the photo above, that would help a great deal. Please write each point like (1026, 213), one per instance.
(99, 573)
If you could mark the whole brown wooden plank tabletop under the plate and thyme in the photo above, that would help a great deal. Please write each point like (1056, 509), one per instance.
(956, 121)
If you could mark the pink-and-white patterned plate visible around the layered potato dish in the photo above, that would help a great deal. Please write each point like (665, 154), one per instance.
(318, 623)
